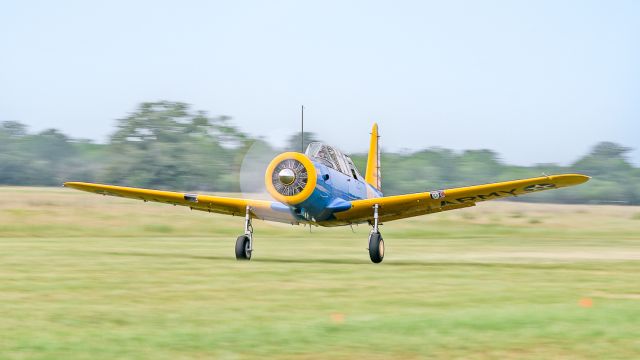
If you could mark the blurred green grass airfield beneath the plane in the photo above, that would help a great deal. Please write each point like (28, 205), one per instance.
(85, 276)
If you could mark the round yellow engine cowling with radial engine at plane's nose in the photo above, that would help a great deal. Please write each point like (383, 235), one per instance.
(290, 178)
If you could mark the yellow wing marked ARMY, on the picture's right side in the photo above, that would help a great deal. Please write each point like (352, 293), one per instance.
(404, 206)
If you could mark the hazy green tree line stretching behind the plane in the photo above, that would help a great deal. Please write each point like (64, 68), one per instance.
(168, 145)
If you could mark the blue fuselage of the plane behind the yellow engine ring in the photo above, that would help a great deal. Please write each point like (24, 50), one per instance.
(334, 192)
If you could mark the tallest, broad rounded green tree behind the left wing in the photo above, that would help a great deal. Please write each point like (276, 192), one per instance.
(165, 144)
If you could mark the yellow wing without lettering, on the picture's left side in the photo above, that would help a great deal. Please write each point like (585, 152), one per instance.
(260, 209)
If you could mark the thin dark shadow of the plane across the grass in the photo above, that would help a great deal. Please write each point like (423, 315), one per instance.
(364, 261)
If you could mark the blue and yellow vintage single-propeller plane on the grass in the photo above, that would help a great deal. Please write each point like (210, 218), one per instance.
(323, 187)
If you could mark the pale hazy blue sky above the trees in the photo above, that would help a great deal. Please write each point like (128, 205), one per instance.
(537, 81)
